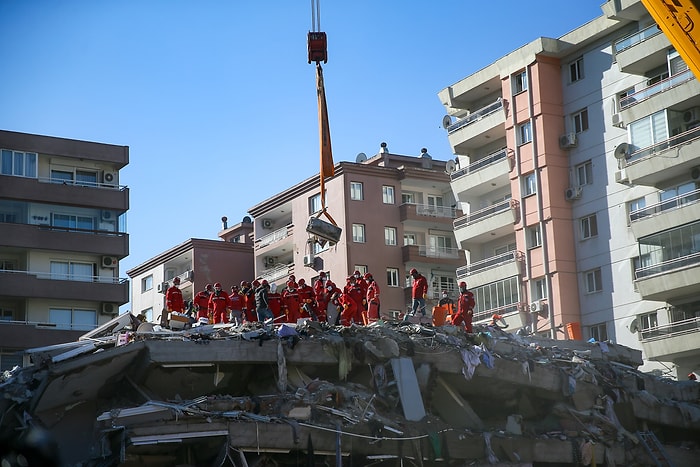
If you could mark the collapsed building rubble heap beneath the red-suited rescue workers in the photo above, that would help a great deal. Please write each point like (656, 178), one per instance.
(130, 393)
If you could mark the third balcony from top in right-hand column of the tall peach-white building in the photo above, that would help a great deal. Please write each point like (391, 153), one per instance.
(674, 157)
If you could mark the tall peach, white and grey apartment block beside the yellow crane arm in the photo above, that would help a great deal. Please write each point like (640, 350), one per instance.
(579, 178)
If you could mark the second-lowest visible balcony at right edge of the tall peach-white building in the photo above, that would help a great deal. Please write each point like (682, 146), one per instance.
(670, 279)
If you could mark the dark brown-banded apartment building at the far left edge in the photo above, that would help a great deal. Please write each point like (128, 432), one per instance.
(62, 235)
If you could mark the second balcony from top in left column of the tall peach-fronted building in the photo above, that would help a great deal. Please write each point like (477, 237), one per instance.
(482, 175)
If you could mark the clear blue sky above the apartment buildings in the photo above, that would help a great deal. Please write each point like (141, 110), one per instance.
(217, 103)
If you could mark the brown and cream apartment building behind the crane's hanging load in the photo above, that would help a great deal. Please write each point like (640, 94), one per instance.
(395, 211)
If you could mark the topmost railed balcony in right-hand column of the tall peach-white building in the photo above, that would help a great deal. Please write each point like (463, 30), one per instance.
(641, 51)
